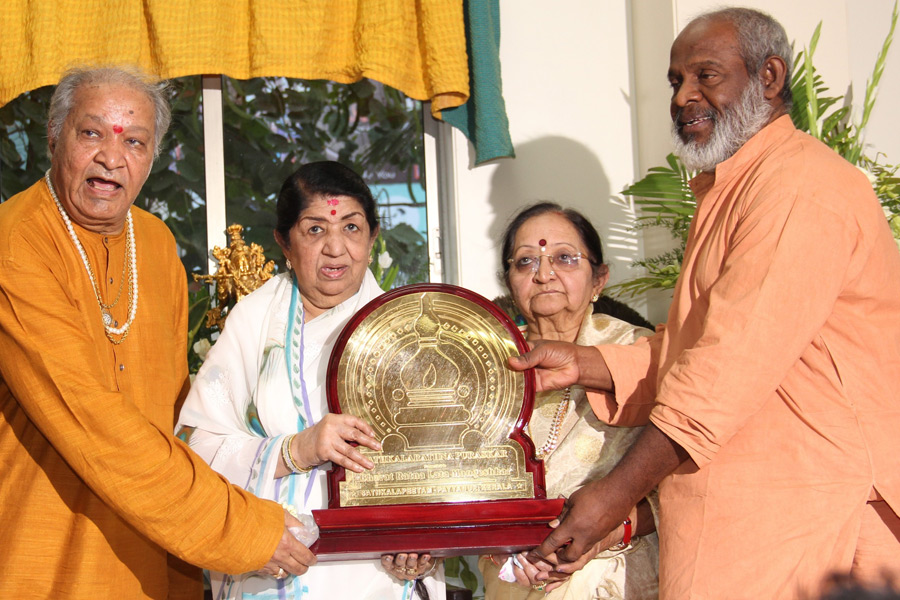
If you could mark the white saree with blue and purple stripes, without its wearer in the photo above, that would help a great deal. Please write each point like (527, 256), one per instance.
(251, 392)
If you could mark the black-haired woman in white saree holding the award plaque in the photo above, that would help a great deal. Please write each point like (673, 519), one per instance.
(257, 411)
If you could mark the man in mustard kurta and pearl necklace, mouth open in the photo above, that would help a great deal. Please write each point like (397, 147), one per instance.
(98, 499)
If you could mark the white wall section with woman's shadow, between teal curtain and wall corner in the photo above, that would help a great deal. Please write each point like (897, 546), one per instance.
(567, 85)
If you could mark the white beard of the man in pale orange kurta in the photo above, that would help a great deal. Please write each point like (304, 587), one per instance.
(731, 130)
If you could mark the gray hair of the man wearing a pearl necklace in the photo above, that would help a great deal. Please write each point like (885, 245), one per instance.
(63, 99)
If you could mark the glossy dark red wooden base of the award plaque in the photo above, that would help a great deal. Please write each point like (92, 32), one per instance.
(440, 529)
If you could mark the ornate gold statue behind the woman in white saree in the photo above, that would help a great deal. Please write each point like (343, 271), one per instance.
(242, 269)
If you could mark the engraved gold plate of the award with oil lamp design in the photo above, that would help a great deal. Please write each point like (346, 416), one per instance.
(428, 372)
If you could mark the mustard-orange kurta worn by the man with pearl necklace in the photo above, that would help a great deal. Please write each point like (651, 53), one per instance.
(96, 489)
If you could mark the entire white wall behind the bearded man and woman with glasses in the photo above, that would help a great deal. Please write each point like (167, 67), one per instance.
(585, 89)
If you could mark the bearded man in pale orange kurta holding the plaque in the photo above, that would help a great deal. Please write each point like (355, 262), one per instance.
(773, 391)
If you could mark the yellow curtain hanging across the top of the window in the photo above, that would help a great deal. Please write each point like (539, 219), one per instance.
(415, 46)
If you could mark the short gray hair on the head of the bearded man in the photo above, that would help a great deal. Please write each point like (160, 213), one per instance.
(759, 37)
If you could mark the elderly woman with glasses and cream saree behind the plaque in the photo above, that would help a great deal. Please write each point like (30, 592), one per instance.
(553, 267)
